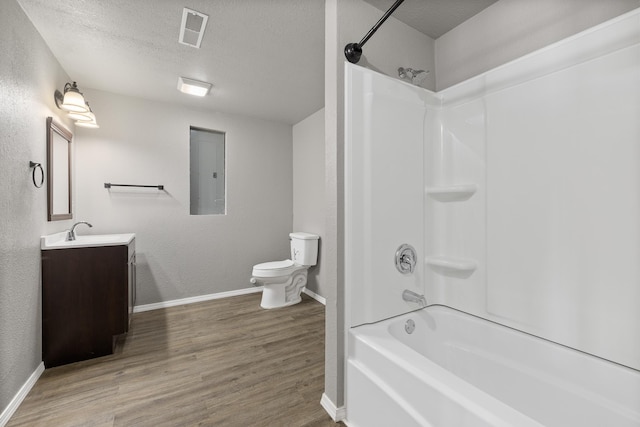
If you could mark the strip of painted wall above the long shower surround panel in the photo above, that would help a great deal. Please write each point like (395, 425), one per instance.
(509, 29)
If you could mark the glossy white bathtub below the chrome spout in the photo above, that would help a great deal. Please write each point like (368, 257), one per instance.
(457, 370)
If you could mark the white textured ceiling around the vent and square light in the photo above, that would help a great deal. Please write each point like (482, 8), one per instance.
(265, 58)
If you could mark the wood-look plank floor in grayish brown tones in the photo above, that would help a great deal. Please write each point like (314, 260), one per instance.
(217, 363)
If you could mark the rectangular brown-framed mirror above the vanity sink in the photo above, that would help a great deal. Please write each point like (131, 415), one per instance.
(58, 171)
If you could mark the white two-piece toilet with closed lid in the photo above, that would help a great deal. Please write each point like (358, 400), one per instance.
(283, 281)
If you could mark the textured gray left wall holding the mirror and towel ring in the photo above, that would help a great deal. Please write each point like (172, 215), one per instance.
(29, 74)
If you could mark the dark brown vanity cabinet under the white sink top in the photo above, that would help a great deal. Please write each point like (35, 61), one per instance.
(88, 294)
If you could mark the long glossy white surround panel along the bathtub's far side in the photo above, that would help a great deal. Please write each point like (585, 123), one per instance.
(551, 142)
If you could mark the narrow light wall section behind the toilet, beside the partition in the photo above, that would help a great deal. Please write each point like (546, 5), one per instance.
(308, 188)
